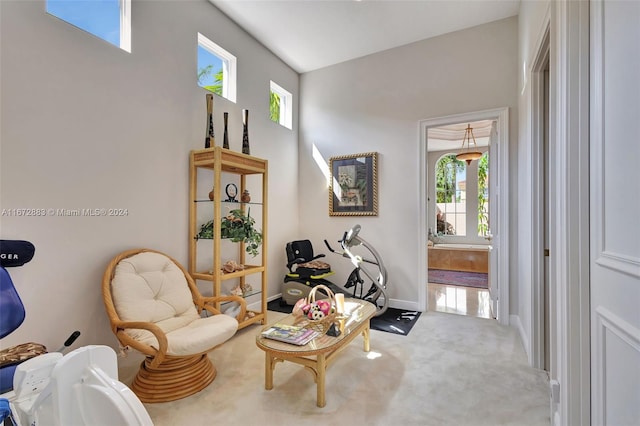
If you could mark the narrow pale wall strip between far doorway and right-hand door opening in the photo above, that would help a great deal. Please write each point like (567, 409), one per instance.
(531, 28)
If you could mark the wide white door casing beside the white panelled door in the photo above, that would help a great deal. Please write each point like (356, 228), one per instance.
(569, 124)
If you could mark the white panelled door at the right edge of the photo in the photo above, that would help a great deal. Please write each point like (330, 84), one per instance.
(615, 211)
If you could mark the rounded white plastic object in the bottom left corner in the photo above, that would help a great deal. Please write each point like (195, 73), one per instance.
(80, 388)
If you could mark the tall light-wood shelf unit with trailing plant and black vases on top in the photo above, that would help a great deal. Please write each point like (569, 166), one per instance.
(220, 162)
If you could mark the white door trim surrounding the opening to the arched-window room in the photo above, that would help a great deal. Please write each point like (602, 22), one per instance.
(501, 115)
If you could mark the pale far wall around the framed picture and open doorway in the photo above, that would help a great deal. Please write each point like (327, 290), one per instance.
(375, 104)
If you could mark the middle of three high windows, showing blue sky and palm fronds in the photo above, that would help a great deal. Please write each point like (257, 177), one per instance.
(216, 69)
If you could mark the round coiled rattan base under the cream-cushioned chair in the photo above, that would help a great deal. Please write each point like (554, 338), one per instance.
(174, 379)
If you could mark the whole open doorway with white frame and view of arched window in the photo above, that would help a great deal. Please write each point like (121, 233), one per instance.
(463, 192)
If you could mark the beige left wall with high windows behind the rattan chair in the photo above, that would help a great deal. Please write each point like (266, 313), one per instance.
(86, 125)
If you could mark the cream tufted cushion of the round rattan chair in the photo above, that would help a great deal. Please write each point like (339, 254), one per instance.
(150, 287)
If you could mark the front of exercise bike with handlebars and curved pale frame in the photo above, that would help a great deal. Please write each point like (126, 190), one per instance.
(376, 293)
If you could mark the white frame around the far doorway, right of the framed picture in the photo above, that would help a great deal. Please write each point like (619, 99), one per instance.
(499, 257)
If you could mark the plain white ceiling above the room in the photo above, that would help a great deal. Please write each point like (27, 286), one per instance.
(312, 34)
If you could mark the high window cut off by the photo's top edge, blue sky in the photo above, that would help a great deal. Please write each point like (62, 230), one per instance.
(108, 19)
